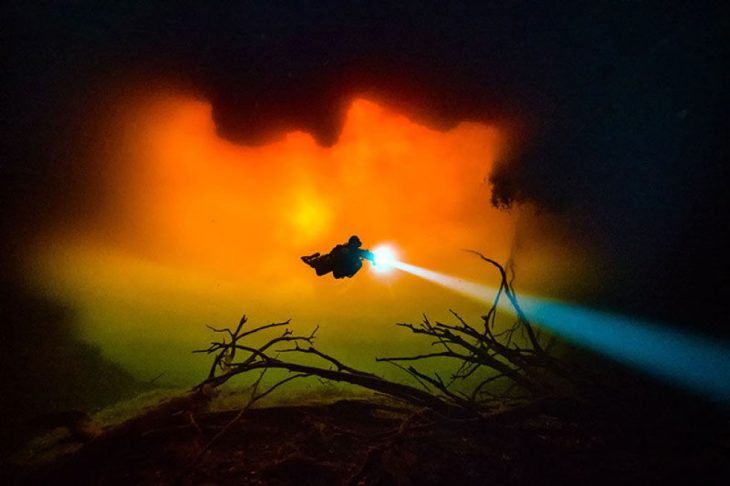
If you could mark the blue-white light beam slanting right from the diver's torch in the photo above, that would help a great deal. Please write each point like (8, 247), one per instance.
(695, 363)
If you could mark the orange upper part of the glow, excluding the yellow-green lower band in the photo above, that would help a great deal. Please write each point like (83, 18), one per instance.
(189, 198)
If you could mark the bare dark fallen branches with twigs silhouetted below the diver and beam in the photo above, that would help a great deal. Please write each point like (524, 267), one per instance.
(524, 365)
